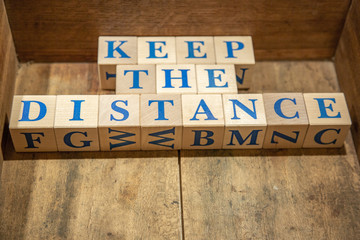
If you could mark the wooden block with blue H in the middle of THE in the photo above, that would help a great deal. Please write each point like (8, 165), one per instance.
(176, 79)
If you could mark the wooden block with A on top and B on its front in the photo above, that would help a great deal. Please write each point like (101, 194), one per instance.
(203, 121)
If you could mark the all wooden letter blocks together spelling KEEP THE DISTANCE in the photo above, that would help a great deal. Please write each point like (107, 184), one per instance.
(177, 93)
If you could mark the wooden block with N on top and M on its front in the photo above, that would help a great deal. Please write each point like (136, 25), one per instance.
(245, 121)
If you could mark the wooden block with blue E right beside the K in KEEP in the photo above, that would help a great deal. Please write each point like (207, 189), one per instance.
(156, 50)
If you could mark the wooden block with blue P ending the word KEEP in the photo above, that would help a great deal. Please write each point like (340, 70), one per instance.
(238, 51)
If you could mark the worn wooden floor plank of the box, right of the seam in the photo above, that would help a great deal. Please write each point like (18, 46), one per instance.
(274, 194)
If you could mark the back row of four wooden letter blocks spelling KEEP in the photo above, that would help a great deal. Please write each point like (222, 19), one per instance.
(204, 50)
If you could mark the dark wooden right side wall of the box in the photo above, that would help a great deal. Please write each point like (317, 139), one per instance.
(347, 63)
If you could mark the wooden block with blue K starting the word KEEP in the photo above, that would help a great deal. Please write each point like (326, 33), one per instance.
(111, 52)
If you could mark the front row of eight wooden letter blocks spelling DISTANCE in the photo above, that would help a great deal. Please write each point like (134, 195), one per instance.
(167, 122)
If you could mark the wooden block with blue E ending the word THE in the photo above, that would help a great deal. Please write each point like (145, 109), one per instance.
(216, 79)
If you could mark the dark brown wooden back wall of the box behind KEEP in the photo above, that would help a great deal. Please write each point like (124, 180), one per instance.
(53, 31)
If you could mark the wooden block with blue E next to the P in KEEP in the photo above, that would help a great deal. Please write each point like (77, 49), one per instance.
(195, 50)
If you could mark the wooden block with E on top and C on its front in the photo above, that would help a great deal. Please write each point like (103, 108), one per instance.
(329, 120)
